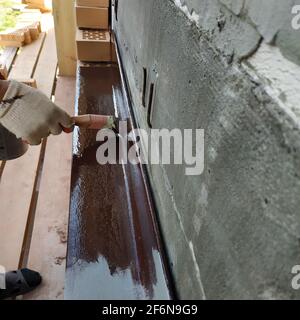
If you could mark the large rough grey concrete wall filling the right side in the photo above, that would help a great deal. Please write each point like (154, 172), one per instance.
(234, 231)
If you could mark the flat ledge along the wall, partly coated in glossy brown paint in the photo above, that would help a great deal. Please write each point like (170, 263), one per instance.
(114, 250)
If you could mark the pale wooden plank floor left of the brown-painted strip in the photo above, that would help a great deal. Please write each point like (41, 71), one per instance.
(34, 189)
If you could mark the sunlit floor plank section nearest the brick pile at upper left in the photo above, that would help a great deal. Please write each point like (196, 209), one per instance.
(25, 63)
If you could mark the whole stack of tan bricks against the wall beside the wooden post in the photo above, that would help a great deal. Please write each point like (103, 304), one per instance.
(93, 37)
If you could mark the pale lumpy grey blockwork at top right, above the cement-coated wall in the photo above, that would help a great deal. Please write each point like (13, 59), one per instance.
(242, 24)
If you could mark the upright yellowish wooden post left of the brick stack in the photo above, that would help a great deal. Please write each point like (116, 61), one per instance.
(64, 19)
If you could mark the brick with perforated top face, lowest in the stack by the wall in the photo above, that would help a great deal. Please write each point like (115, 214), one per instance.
(93, 45)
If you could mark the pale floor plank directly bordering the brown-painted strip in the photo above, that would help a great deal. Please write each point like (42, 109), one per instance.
(48, 246)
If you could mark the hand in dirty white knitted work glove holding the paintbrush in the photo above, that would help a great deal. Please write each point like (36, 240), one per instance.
(30, 115)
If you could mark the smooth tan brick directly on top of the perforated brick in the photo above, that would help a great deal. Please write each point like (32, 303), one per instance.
(92, 17)
